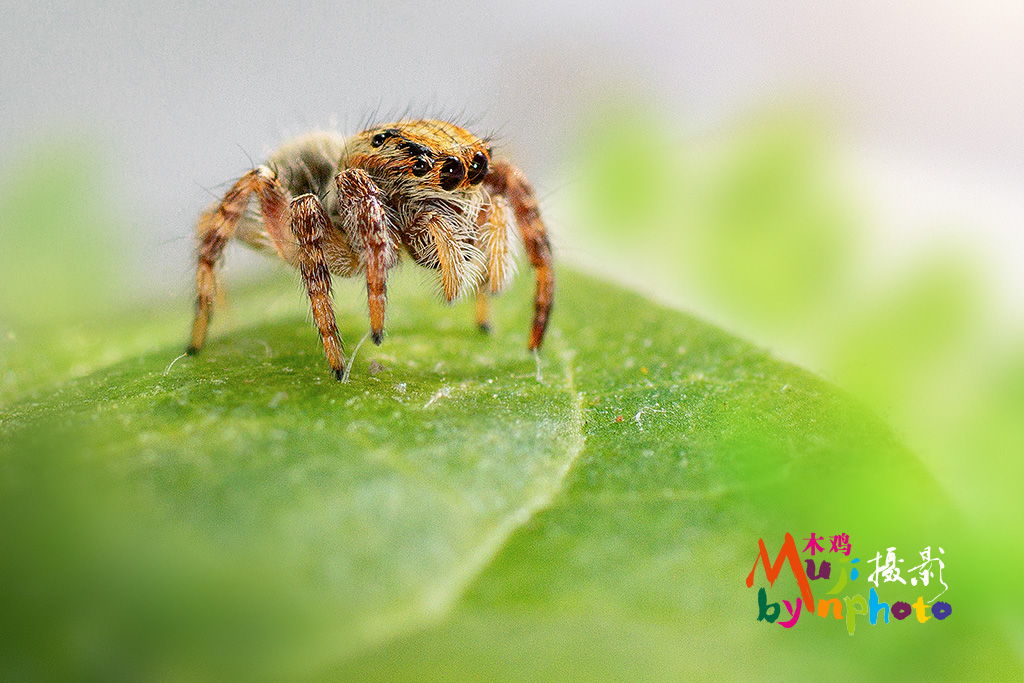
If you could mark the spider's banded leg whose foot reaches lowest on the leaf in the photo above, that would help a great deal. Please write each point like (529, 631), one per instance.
(310, 225)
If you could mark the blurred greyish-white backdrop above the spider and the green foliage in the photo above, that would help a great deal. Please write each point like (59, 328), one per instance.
(177, 98)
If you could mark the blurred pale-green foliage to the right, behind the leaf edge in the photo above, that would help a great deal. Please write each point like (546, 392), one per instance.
(765, 230)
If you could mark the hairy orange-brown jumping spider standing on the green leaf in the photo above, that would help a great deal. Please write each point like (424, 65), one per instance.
(426, 188)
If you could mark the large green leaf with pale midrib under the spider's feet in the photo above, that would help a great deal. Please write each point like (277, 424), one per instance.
(446, 516)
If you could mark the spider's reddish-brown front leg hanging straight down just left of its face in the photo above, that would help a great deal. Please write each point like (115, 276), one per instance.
(360, 196)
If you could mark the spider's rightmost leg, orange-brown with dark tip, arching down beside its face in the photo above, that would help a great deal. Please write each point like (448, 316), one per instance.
(508, 182)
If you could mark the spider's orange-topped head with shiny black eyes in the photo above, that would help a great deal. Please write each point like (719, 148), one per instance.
(422, 159)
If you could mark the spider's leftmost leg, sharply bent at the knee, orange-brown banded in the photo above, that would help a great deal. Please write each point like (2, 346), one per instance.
(218, 226)
